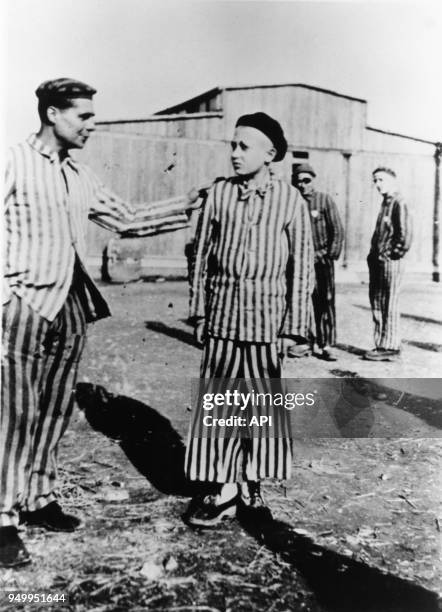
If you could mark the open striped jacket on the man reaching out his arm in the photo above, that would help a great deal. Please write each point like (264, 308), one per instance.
(48, 202)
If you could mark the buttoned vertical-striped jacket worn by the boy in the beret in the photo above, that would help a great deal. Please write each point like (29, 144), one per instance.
(253, 275)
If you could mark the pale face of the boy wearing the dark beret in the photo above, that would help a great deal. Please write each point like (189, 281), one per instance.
(251, 150)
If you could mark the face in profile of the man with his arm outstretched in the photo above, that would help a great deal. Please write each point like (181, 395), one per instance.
(73, 125)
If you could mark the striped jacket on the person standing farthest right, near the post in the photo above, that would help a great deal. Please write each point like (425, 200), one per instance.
(393, 232)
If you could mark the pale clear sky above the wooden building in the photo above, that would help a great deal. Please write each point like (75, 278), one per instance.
(145, 55)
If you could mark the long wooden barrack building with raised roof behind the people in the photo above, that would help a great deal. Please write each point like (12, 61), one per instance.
(187, 144)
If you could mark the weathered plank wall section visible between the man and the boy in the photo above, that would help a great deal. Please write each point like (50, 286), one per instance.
(144, 169)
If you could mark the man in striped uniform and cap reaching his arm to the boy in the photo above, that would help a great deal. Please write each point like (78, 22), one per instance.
(48, 300)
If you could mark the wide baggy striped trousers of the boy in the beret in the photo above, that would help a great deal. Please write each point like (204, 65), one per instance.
(232, 458)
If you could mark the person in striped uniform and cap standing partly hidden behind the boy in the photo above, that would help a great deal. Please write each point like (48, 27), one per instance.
(328, 237)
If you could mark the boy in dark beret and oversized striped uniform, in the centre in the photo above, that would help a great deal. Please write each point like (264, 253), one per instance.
(251, 287)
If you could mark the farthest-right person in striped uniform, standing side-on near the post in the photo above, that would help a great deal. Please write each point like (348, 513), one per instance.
(391, 240)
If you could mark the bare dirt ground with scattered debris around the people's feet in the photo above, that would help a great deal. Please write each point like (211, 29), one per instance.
(356, 528)
